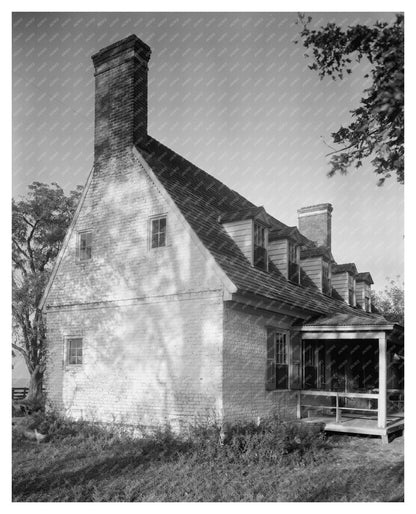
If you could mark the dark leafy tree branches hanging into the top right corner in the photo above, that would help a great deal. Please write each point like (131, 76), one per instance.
(377, 127)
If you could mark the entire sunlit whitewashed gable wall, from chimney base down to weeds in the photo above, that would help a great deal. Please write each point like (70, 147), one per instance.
(148, 355)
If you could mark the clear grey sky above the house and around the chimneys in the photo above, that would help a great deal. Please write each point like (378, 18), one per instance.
(232, 93)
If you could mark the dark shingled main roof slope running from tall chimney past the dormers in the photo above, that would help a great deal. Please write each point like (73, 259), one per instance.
(203, 199)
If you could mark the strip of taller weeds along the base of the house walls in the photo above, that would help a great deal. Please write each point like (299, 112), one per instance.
(284, 443)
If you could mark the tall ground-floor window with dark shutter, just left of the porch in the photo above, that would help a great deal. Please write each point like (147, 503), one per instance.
(277, 361)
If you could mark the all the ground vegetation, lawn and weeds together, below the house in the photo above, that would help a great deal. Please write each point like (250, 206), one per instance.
(270, 463)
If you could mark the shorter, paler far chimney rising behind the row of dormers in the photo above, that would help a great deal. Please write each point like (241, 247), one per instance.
(315, 223)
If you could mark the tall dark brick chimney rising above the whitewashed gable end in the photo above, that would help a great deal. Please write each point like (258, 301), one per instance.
(120, 96)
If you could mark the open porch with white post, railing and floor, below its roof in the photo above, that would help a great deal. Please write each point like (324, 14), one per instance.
(352, 379)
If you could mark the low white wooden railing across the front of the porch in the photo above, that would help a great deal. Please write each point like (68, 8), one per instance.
(338, 407)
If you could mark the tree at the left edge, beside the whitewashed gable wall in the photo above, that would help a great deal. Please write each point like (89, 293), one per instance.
(39, 224)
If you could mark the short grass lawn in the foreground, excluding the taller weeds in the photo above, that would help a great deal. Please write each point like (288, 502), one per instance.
(81, 468)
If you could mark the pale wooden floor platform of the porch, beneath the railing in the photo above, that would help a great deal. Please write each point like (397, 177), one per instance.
(354, 424)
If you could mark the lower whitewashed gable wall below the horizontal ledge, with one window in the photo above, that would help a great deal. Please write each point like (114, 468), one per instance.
(146, 363)
